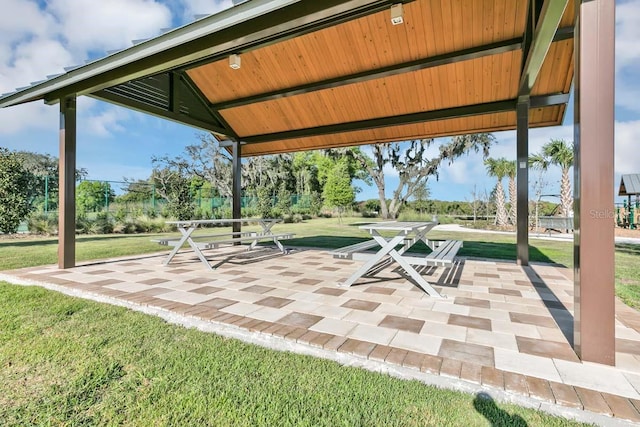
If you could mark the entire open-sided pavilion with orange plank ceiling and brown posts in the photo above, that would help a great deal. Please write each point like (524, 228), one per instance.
(274, 76)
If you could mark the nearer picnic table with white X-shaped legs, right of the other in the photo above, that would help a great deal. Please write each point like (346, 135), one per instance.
(407, 235)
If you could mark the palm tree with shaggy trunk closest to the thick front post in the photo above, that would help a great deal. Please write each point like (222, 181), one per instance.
(560, 153)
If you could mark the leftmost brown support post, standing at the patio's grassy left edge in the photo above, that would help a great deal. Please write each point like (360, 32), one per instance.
(67, 184)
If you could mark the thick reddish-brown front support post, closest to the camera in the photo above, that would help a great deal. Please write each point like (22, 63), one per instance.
(594, 316)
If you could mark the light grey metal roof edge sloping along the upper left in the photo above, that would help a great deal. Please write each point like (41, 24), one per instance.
(191, 31)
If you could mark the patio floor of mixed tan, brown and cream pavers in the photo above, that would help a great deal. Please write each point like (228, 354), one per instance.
(500, 326)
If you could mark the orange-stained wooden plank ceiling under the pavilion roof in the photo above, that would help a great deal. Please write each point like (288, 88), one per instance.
(468, 93)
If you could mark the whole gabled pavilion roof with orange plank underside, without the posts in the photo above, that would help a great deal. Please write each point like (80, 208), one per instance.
(339, 73)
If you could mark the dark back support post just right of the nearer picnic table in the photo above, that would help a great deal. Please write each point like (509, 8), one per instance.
(522, 183)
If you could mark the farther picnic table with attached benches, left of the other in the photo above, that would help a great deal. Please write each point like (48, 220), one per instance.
(213, 241)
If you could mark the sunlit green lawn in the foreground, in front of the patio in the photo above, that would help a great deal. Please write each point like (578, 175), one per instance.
(71, 362)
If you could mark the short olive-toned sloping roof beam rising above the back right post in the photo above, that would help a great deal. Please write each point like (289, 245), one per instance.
(545, 32)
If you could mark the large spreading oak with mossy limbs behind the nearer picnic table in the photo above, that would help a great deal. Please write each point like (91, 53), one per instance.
(414, 169)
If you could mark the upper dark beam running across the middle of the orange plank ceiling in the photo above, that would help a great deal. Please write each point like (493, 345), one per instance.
(392, 70)
